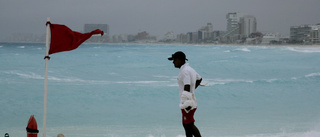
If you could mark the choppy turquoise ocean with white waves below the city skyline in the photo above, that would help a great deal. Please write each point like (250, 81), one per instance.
(131, 90)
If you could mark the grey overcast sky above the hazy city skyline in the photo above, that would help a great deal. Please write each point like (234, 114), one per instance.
(154, 16)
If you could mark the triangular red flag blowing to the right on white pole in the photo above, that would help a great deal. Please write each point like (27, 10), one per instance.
(64, 39)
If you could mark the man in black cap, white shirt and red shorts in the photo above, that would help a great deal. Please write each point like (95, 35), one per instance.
(188, 80)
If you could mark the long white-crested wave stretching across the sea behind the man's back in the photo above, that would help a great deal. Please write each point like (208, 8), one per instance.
(165, 80)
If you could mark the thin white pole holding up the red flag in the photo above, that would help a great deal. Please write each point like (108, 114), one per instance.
(46, 78)
